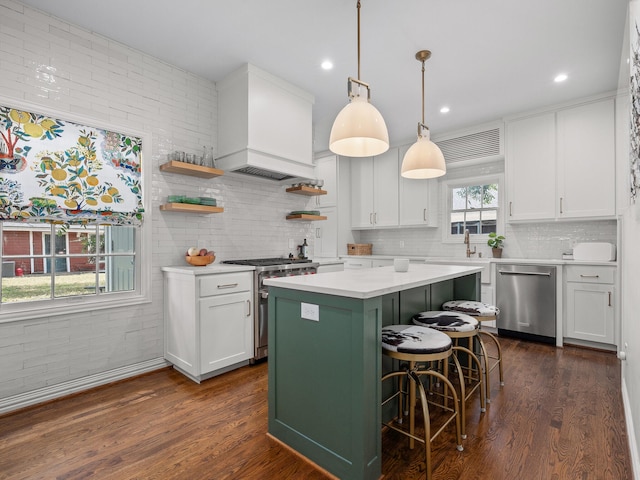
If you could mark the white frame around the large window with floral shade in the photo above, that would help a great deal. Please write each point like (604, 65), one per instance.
(10, 312)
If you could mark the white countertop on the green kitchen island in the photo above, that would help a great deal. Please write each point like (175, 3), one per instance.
(369, 283)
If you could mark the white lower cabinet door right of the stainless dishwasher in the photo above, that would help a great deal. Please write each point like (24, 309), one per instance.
(590, 313)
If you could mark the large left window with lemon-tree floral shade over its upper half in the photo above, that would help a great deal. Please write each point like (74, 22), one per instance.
(71, 211)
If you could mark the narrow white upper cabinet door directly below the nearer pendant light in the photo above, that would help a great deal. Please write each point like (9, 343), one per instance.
(361, 192)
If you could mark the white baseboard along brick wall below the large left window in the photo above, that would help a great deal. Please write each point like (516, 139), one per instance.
(40, 395)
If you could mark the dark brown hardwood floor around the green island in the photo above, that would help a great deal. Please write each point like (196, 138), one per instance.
(559, 416)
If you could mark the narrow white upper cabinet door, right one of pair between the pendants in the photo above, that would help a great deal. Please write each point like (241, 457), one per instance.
(385, 190)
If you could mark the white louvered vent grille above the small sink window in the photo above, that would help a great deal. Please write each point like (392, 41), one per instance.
(471, 147)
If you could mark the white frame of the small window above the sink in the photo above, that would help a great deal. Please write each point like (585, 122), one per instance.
(447, 188)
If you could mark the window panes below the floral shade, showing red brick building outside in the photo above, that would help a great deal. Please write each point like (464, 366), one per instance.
(48, 262)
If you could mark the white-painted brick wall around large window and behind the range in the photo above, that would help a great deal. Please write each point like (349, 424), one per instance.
(49, 62)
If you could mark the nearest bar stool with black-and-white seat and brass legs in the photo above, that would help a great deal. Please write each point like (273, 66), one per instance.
(414, 344)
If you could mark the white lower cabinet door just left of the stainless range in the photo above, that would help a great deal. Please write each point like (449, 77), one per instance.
(226, 331)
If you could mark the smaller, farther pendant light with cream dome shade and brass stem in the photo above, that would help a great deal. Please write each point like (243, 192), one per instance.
(424, 158)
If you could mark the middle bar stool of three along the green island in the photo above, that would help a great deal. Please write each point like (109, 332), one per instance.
(458, 325)
